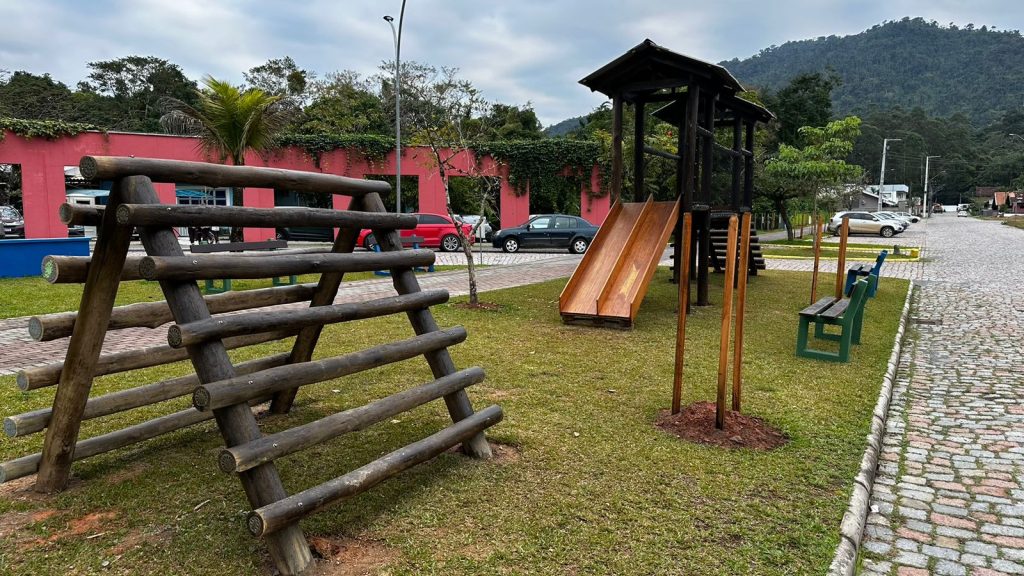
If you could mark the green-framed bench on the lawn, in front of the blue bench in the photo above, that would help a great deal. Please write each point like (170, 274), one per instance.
(848, 314)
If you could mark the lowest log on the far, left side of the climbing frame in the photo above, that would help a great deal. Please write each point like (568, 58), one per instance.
(27, 466)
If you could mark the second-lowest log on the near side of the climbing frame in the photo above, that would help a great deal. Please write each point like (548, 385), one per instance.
(245, 457)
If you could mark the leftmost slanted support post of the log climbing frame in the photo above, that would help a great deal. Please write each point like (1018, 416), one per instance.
(87, 344)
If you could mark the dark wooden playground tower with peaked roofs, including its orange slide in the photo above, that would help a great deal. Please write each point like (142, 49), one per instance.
(697, 98)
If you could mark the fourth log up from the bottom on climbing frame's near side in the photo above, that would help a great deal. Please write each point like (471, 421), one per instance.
(239, 324)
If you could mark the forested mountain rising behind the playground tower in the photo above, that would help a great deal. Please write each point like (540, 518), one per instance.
(907, 64)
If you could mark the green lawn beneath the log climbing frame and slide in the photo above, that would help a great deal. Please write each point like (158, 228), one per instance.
(595, 488)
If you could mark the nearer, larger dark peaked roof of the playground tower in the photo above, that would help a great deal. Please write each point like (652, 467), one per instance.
(648, 68)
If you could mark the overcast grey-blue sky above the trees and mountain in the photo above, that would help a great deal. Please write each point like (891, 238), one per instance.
(516, 52)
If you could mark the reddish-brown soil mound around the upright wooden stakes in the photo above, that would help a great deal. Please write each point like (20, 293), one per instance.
(697, 424)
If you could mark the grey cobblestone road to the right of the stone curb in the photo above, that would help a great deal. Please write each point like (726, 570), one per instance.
(949, 498)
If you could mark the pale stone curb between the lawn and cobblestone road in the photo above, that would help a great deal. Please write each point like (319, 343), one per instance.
(852, 528)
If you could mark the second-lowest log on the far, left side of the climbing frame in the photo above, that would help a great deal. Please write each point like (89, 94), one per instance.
(31, 423)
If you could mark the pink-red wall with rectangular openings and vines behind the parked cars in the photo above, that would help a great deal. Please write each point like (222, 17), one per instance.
(44, 164)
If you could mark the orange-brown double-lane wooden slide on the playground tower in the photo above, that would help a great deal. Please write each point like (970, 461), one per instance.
(613, 278)
